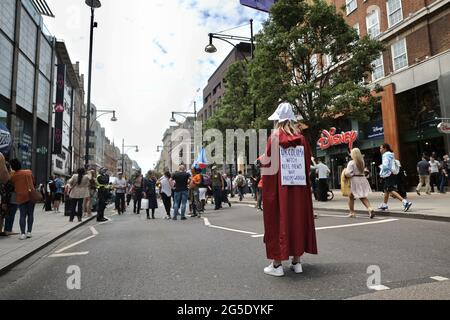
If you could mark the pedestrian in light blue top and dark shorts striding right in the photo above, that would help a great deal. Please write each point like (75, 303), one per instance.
(389, 169)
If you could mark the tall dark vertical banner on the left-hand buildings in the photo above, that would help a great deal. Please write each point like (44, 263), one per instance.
(59, 109)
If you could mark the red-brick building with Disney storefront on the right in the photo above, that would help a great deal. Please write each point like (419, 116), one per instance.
(414, 70)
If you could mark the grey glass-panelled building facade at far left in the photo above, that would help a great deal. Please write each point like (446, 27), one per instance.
(26, 74)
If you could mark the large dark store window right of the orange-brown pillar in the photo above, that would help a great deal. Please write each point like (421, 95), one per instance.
(418, 108)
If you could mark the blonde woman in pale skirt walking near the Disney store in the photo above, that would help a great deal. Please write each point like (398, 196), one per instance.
(359, 185)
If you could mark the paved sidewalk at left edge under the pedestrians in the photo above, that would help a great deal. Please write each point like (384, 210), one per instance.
(47, 228)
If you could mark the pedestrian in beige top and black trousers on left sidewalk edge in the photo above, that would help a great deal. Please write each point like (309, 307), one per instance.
(79, 190)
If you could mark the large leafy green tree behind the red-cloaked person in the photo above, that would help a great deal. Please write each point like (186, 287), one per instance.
(307, 55)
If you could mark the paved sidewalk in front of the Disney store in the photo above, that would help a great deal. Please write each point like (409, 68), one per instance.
(433, 207)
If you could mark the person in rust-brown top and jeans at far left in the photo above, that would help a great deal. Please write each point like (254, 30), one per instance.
(23, 182)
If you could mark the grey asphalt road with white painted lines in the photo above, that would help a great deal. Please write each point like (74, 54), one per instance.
(223, 258)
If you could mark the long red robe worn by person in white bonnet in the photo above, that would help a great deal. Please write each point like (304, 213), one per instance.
(288, 210)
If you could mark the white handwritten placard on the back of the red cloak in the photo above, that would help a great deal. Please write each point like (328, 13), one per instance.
(293, 171)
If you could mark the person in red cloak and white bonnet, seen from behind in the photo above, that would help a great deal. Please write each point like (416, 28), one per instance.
(288, 210)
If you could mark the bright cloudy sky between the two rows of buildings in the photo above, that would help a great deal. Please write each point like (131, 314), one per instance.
(148, 59)
